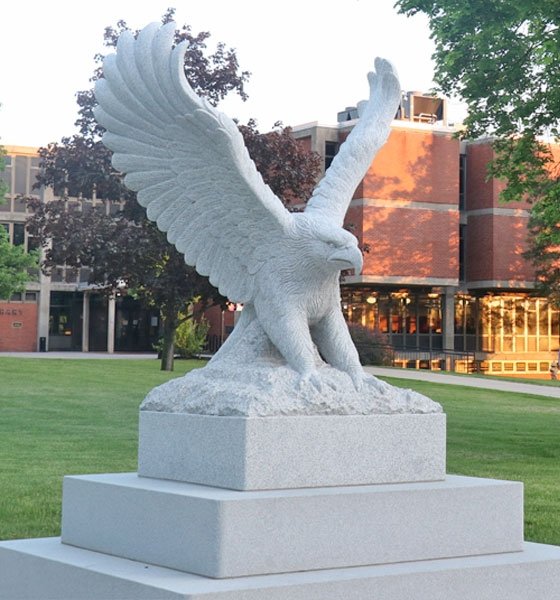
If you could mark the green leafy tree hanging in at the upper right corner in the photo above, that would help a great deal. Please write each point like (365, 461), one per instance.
(501, 58)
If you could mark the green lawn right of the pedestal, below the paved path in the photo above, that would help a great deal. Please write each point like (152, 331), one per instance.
(505, 436)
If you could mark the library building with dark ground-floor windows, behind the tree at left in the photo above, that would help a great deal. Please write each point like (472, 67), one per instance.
(61, 311)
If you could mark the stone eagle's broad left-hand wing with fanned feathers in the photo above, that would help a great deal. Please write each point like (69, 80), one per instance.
(188, 163)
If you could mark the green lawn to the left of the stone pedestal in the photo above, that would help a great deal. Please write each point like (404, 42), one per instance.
(62, 417)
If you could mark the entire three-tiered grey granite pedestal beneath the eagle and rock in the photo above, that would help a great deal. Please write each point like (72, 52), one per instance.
(338, 508)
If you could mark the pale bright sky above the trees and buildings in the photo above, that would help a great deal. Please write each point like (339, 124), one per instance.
(308, 58)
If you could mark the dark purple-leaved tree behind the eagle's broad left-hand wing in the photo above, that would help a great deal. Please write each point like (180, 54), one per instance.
(126, 247)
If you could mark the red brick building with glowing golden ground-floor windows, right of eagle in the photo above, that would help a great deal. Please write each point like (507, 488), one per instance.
(444, 278)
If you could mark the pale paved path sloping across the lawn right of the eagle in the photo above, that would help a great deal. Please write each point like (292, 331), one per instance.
(469, 381)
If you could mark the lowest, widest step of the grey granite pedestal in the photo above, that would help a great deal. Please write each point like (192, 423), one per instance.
(46, 569)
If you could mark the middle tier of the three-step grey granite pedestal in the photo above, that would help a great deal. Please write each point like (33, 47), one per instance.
(225, 533)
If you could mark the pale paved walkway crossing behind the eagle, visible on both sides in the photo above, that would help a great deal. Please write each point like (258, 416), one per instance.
(422, 375)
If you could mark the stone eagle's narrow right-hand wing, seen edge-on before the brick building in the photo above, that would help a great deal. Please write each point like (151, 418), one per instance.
(332, 196)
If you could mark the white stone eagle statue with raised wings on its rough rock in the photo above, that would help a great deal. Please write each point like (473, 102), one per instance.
(191, 170)
